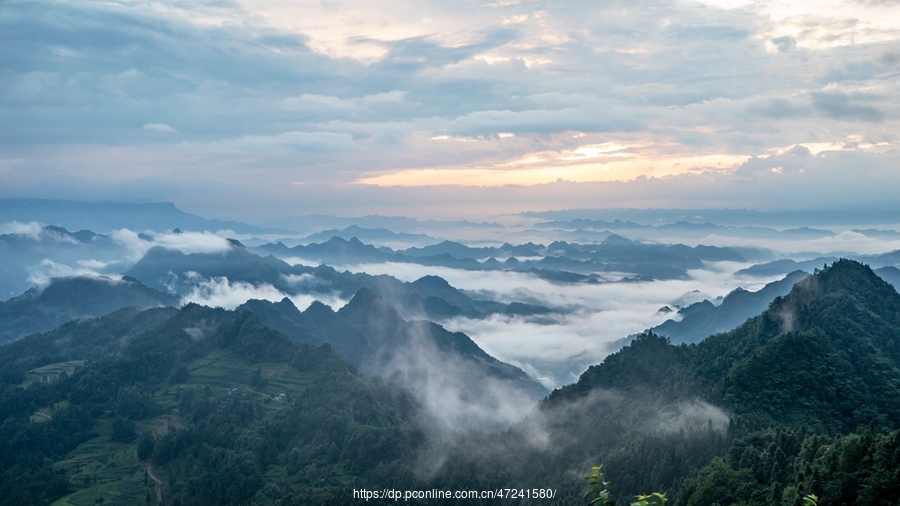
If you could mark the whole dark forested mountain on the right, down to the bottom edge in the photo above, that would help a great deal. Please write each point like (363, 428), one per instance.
(763, 414)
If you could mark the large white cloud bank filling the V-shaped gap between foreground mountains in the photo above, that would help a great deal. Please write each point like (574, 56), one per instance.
(557, 353)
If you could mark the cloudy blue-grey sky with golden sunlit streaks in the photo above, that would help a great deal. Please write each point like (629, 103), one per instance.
(243, 109)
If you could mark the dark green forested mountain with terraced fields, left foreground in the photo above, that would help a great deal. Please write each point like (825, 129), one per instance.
(230, 412)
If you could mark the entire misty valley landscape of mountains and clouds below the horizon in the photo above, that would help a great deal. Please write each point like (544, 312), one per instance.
(317, 379)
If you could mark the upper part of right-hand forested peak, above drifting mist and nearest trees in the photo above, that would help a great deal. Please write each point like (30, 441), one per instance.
(826, 354)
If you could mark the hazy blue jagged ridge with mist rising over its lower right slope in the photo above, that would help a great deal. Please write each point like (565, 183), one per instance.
(447, 371)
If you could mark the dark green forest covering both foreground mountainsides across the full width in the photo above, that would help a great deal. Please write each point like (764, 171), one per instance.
(802, 399)
